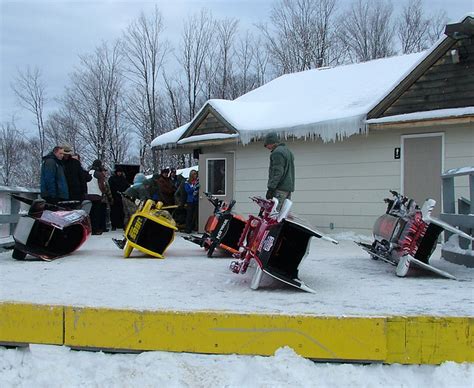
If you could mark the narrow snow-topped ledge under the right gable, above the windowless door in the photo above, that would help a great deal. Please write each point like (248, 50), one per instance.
(432, 117)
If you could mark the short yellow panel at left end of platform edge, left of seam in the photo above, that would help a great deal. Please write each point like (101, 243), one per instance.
(29, 323)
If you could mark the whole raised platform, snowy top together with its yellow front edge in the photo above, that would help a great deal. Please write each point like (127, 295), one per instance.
(187, 302)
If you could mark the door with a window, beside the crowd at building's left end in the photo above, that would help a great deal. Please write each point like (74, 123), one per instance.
(216, 176)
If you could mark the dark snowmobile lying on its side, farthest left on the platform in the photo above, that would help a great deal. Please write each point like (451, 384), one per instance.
(49, 231)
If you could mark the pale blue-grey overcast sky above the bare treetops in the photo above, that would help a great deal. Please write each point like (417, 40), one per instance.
(51, 34)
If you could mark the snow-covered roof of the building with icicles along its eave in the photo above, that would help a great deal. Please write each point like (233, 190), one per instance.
(329, 103)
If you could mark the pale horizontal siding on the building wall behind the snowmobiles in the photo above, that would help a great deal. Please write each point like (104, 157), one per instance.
(344, 183)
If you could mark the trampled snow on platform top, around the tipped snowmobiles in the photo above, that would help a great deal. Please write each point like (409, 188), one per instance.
(347, 282)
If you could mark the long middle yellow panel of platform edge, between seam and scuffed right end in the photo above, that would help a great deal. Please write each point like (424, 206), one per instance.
(325, 338)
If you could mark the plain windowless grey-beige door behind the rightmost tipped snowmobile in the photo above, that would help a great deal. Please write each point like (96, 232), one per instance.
(422, 168)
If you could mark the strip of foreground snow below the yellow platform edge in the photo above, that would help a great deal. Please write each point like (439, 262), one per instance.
(54, 366)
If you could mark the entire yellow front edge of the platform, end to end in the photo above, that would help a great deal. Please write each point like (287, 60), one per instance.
(405, 340)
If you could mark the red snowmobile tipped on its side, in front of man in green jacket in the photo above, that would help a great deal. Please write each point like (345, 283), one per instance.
(277, 243)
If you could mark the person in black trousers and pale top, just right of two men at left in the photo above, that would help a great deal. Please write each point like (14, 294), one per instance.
(96, 189)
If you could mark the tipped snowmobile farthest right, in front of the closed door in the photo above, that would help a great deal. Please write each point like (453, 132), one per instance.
(406, 236)
